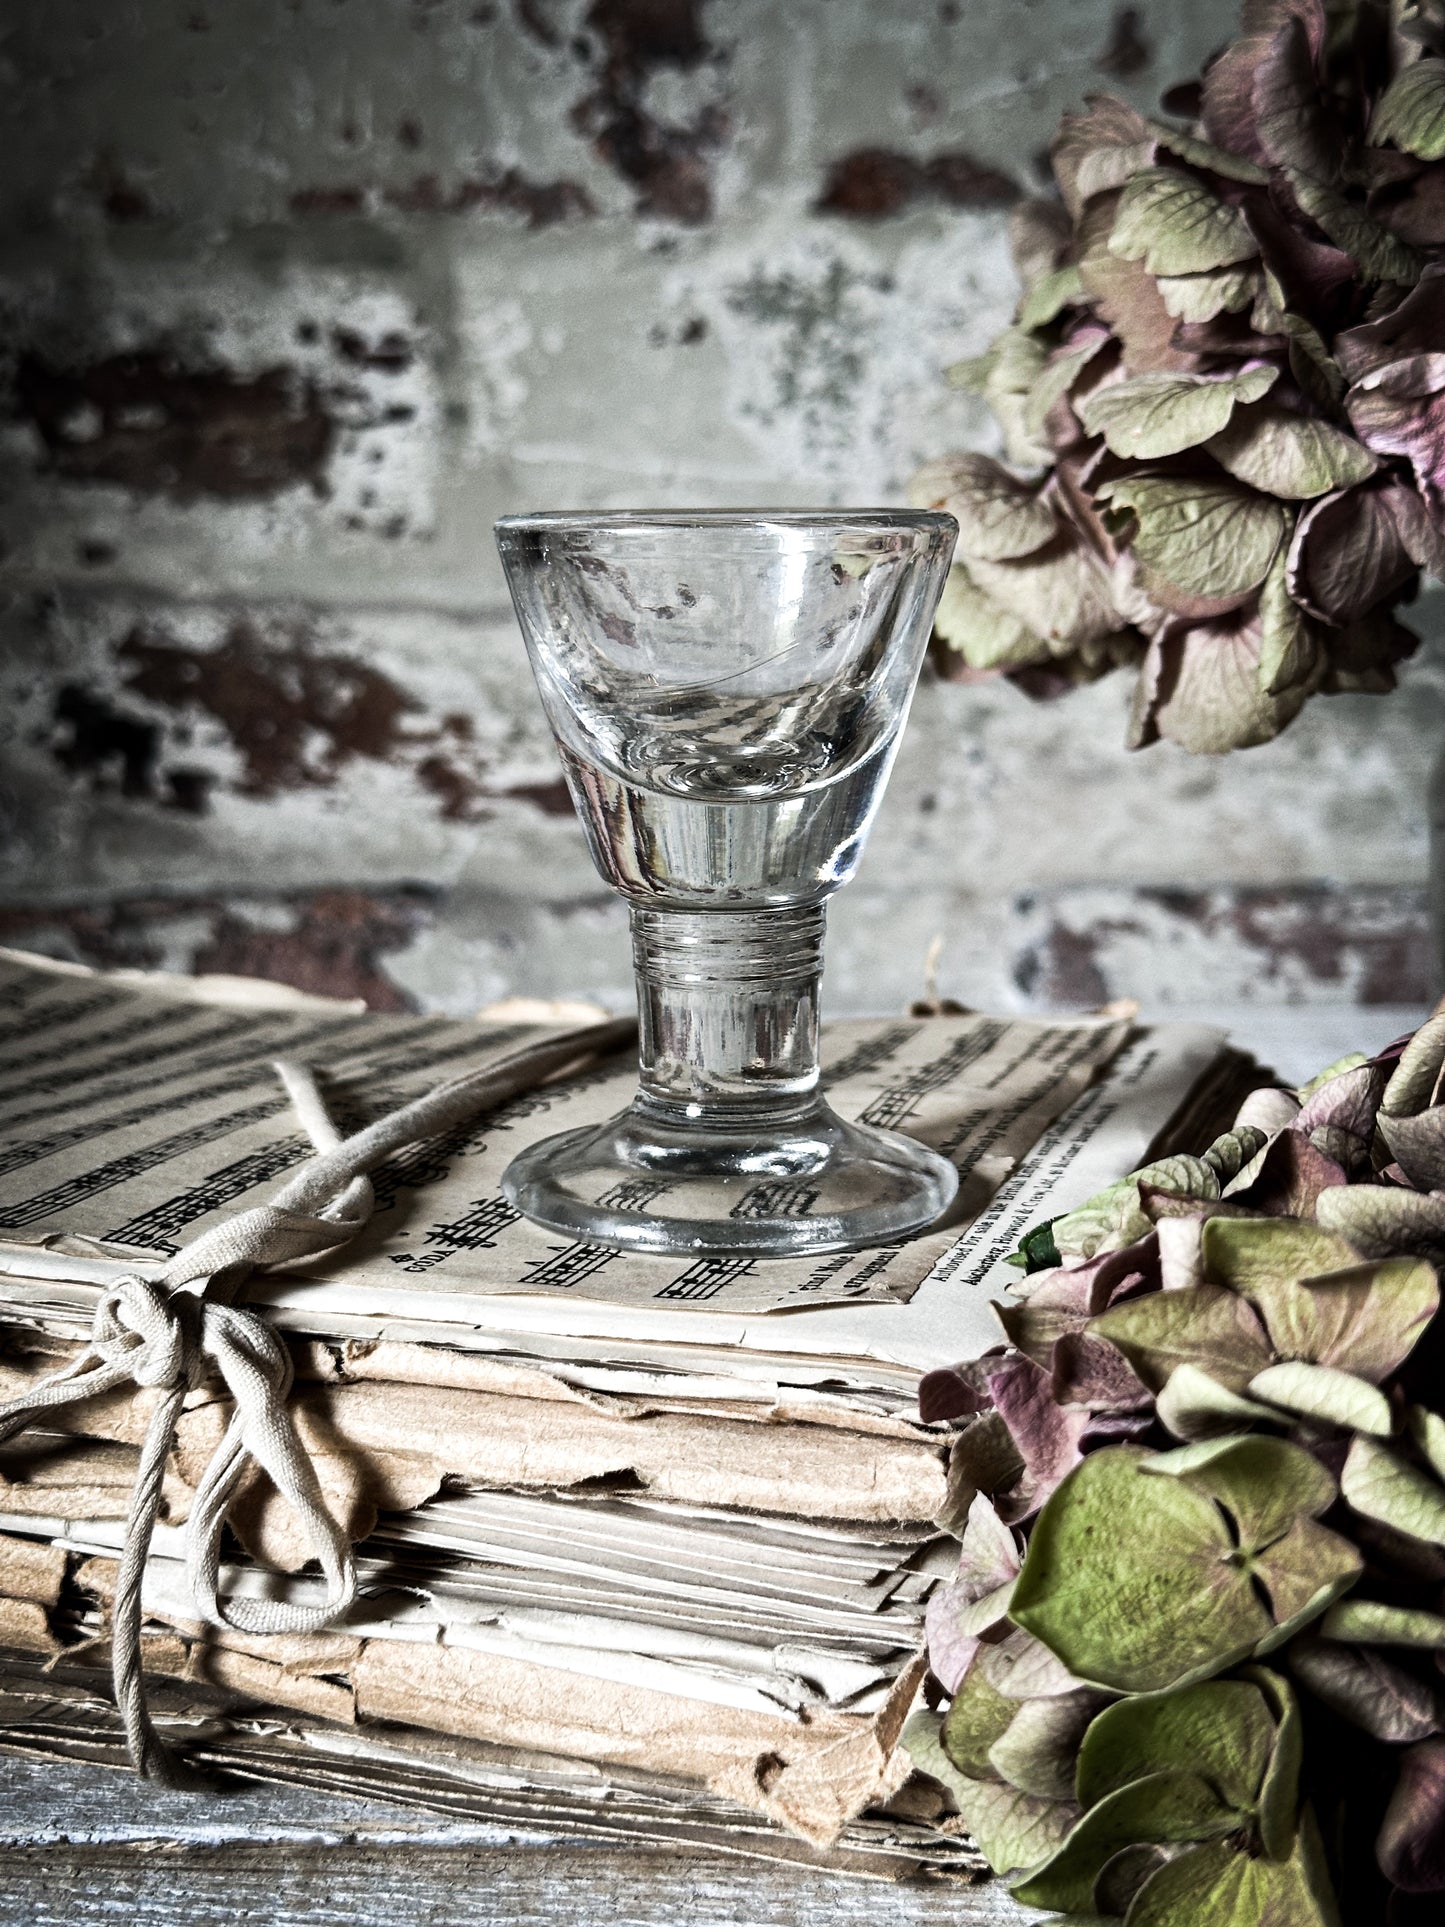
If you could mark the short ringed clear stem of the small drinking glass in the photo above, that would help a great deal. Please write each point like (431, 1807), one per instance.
(727, 1013)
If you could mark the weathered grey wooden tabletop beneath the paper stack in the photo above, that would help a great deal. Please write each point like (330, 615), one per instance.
(80, 1845)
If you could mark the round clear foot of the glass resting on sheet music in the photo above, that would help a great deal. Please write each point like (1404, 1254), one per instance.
(777, 1190)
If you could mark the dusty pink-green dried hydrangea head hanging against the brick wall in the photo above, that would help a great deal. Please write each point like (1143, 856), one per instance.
(1224, 386)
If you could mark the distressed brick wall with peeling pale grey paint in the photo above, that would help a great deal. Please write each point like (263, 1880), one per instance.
(300, 296)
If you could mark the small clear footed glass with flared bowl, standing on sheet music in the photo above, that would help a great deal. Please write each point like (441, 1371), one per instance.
(727, 693)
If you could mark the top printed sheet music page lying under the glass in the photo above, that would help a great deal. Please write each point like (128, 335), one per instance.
(142, 1119)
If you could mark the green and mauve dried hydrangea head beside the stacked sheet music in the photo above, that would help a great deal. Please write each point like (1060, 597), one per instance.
(1207, 1516)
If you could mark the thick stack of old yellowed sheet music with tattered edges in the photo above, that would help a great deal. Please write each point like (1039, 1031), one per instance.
(644, 1544)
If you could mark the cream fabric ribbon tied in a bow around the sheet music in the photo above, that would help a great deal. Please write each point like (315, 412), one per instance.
(174, 1331)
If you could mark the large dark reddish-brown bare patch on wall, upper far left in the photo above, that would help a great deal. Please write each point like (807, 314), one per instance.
(145, 423)
